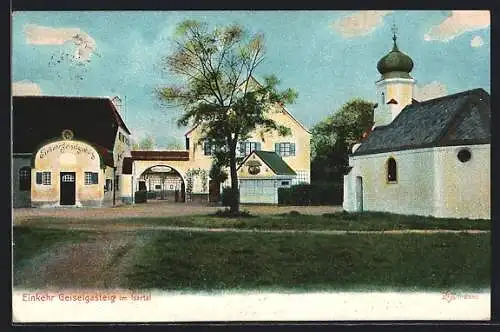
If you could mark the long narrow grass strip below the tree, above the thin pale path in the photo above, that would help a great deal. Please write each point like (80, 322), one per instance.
(334, 221)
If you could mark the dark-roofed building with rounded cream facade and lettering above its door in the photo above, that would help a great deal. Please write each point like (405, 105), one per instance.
(67, 151)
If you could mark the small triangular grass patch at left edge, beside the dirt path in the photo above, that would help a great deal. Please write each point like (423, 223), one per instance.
(29, 241)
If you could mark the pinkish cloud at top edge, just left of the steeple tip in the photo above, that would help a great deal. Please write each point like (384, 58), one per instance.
(360, 23)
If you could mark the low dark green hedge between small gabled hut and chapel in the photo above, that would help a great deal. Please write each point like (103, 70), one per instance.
(311, 194)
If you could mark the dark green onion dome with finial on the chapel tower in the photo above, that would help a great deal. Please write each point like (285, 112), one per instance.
(395, 63)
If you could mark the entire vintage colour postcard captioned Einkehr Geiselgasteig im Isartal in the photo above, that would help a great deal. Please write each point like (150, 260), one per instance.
(218, 166)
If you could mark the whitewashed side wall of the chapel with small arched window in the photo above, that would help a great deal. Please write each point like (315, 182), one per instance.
(430, 182)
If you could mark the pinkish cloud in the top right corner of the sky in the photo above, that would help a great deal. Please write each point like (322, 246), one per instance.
(457, 23)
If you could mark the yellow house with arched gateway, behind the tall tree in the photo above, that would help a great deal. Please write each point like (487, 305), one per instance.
(189, 175)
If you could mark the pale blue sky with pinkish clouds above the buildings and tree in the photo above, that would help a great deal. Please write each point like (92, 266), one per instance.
(328, 57)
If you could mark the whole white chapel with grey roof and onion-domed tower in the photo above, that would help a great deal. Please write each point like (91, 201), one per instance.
(428, 158)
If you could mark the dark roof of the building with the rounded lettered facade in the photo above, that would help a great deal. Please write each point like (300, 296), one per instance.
(36, 119)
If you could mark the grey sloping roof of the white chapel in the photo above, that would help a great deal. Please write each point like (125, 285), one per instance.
(458, 119)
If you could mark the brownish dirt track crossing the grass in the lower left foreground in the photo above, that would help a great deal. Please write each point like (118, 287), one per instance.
(100, 262)
